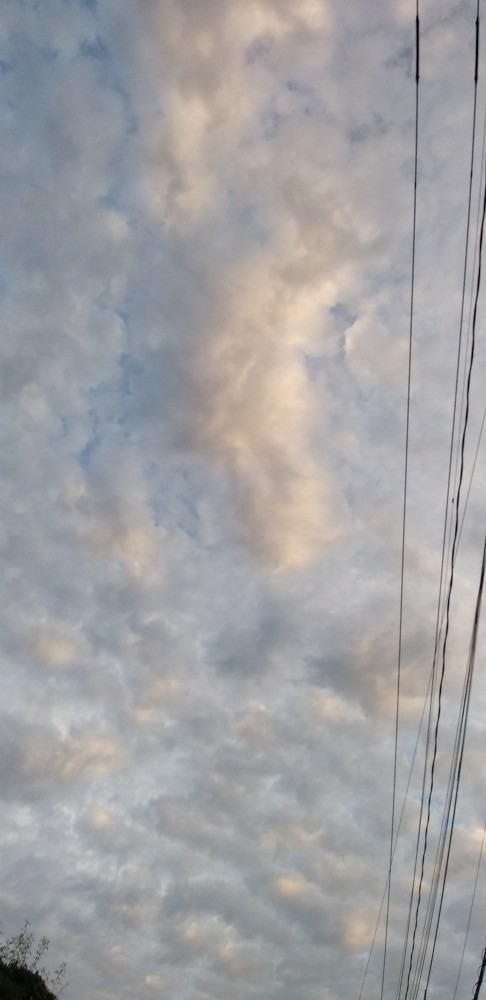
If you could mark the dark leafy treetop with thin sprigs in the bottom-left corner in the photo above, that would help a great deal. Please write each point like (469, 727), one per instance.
(22, 977)
